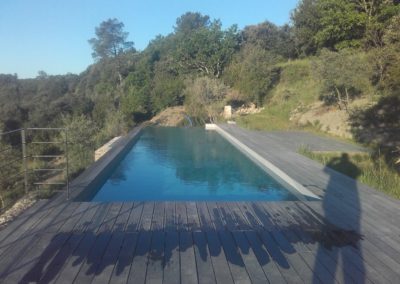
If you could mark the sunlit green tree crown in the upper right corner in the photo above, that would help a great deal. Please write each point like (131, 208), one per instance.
(337, 24)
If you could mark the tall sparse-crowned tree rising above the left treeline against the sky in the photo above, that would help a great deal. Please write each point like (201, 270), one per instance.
(111, 42)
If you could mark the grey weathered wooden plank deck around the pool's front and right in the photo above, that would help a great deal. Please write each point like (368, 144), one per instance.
(351, 236)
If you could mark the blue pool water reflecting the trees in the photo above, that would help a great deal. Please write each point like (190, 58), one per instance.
(188, 164)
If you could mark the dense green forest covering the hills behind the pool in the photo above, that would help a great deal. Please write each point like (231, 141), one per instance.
(352, 45)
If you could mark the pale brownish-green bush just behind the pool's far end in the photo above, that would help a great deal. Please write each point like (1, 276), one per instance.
(205, 98)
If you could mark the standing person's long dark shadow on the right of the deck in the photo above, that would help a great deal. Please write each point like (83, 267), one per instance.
(336, 240)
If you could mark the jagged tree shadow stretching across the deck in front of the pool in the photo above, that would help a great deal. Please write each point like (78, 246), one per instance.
(267, 233)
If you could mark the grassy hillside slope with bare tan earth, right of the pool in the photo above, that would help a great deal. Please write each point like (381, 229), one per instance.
(294, 103)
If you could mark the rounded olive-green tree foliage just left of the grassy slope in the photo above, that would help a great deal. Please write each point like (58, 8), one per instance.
(253, 73)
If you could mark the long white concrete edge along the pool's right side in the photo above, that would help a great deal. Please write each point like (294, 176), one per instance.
(268, 166)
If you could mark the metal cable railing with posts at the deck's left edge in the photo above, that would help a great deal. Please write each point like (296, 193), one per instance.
(33, 159)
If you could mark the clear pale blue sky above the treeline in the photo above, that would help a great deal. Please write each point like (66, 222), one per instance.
(52, 35)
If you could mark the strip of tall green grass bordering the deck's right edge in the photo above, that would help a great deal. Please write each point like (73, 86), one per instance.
(370, 171)
